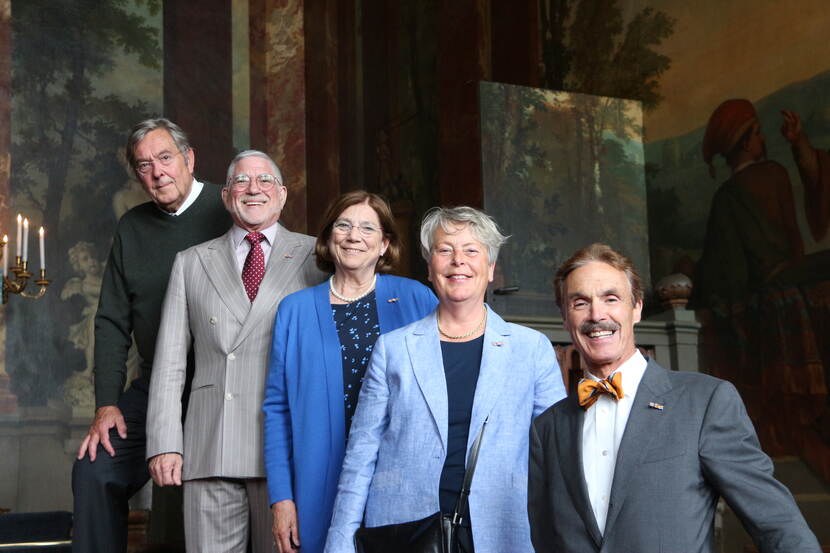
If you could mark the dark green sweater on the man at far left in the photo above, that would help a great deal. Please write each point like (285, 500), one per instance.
(135, 281)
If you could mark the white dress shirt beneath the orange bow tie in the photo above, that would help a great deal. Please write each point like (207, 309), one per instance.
(602, 431)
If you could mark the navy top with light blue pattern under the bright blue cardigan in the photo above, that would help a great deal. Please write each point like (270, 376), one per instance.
(358, 329)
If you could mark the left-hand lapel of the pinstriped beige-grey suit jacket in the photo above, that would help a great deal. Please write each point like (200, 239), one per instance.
(219, 262)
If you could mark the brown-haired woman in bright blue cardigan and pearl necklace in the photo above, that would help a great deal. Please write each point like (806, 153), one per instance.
(323, 339)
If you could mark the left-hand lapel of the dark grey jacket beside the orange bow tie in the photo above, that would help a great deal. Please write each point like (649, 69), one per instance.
(569, 446)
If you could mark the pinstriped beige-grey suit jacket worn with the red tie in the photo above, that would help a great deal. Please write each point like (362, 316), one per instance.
(206, 307)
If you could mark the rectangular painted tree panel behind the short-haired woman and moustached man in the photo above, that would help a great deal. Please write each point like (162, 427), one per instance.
(560, 170)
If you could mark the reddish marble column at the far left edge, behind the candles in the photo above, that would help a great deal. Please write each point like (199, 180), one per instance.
(8, 401)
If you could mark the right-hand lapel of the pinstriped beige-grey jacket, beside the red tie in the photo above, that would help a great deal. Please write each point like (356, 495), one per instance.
(283, 262)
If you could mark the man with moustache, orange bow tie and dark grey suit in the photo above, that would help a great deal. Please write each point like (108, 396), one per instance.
(637, 460)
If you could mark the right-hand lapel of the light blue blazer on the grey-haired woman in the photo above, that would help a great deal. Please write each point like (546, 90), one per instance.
(495, 356)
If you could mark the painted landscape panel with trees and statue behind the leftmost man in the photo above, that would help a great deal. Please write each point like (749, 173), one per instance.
(83, 73)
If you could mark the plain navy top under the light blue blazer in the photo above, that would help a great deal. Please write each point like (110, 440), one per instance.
(462, 361)
